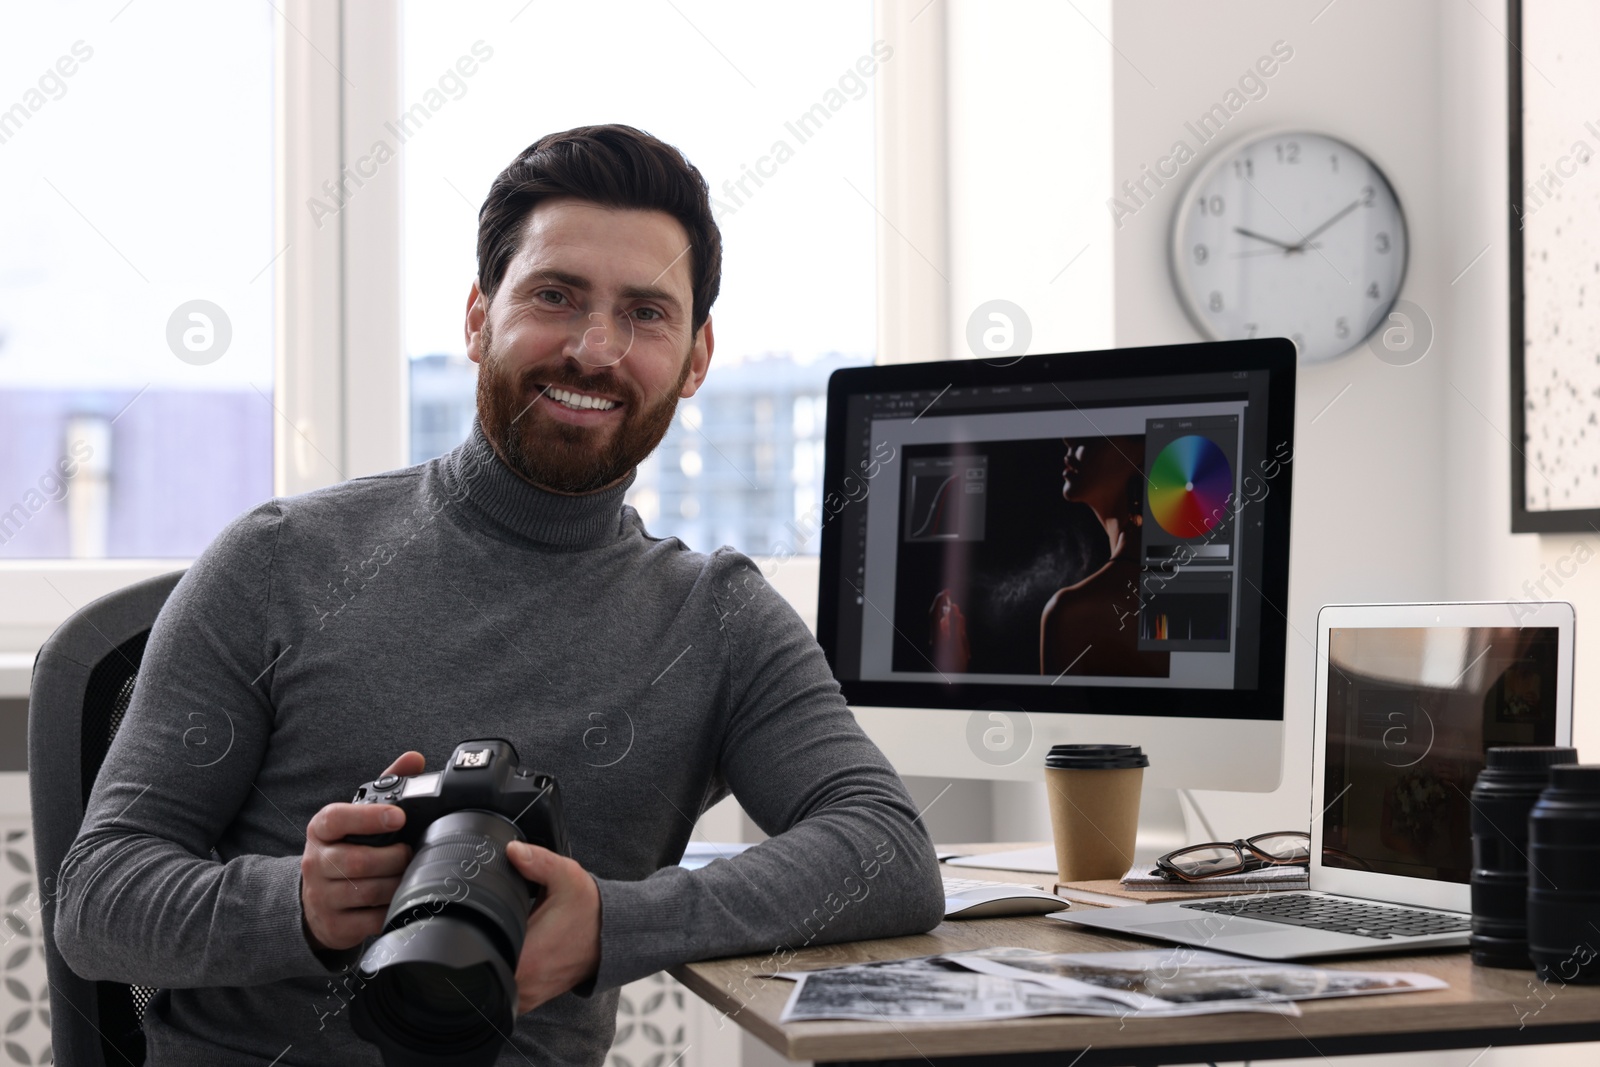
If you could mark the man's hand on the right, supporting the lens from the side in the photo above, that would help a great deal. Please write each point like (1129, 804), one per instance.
(562, 945)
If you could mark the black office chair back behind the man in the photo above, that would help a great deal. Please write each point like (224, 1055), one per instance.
(82, 684)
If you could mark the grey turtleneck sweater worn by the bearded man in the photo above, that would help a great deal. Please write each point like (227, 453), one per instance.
(322, 636)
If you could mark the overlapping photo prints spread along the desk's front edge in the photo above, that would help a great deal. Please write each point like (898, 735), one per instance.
(1010, 983)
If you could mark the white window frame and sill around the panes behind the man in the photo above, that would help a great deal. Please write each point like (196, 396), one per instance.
(340, 374)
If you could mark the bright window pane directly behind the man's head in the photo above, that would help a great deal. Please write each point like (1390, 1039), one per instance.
(774, 105)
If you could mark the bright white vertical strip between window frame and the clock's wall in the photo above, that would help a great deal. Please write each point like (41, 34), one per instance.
(1030, 132)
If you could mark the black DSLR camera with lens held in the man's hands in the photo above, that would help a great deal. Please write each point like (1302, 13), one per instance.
(441, 978)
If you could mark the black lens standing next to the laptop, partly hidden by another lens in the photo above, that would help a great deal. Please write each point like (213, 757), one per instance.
(1511, 781)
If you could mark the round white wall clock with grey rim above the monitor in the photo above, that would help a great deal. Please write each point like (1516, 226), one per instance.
(1290, 236)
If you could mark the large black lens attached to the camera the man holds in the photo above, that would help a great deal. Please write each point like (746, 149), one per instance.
(442, 977)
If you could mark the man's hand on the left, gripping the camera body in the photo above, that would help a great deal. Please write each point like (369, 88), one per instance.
(346, 889)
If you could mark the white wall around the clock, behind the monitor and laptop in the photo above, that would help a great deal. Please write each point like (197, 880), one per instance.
(1402, 486)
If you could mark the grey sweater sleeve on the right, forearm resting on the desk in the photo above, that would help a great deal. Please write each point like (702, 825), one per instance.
(847, 857)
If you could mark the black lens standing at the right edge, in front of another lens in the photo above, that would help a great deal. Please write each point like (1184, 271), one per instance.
(1564, 876)
